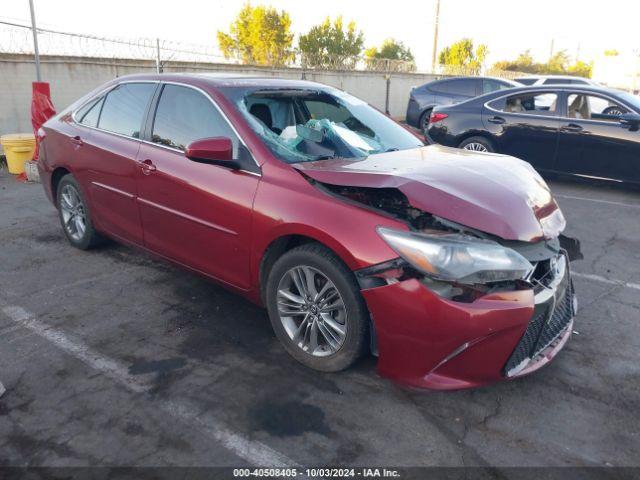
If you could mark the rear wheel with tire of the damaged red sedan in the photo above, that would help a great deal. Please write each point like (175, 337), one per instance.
(75, 216)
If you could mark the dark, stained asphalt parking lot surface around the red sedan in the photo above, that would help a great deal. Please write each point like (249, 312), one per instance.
(111, 357)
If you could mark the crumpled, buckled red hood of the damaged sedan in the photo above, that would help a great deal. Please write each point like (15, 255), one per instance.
(493, 193)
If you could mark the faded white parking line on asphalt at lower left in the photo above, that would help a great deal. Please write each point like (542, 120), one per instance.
(256, 453)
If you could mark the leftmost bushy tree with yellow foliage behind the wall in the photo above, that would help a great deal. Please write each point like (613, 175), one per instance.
(259, 35)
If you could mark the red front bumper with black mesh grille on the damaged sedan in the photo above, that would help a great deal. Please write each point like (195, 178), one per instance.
(427, 341)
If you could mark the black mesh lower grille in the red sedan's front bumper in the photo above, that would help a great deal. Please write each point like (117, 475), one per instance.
(549, 320)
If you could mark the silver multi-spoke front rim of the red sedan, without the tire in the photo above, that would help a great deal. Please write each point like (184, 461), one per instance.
(312, 311)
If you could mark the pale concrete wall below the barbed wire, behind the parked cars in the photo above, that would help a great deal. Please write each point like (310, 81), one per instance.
(72, 77)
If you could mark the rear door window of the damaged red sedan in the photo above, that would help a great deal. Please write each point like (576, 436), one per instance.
(124, 108)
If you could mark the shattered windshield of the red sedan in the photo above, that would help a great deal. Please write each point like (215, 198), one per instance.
(301, 125)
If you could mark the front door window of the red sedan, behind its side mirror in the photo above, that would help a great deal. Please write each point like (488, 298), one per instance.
(184, 115)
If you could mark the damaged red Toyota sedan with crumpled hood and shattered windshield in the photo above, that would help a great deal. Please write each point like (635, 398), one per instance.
(448, 265)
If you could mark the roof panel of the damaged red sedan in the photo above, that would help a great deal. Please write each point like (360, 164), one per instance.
(223, 79)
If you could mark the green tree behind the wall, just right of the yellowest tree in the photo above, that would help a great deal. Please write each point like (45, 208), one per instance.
(331, 45)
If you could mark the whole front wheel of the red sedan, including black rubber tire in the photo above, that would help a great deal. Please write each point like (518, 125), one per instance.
(316, 309)
